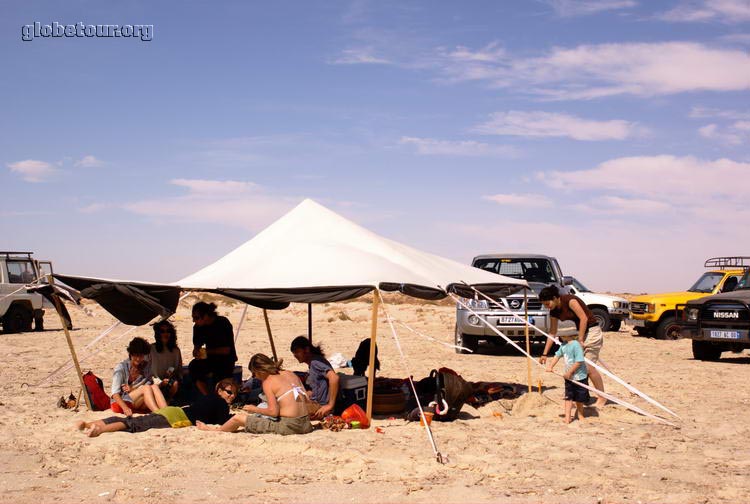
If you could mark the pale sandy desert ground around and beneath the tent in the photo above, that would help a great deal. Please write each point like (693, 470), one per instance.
(514, 451)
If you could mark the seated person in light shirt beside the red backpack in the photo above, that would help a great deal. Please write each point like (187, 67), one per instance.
(132, 388)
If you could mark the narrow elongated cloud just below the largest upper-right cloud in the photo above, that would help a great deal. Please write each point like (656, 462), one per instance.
(548, 124)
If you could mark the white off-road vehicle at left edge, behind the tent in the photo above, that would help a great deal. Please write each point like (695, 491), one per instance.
(20, 309)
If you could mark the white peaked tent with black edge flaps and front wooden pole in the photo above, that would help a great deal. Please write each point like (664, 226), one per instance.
(310, 255)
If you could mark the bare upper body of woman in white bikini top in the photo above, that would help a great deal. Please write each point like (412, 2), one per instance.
(285, 393)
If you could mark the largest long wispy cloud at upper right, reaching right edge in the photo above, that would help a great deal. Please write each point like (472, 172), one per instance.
(594, 71)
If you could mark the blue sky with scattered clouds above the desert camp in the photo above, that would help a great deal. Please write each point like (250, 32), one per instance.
(611, 134)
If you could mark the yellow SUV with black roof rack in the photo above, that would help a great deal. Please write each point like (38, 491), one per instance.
(655, 313)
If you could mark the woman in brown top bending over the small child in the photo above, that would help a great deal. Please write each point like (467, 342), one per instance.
(569, 307)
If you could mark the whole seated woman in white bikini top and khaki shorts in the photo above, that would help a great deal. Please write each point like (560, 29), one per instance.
(286, 412)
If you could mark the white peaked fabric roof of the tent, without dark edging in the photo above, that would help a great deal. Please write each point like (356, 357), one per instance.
(312, 247)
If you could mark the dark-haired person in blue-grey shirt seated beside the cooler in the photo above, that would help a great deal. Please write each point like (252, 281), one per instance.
(322, 380)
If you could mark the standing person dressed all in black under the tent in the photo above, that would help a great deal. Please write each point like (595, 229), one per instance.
(217, 334)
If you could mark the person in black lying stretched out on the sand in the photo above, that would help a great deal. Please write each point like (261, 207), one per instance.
(212, 408)
